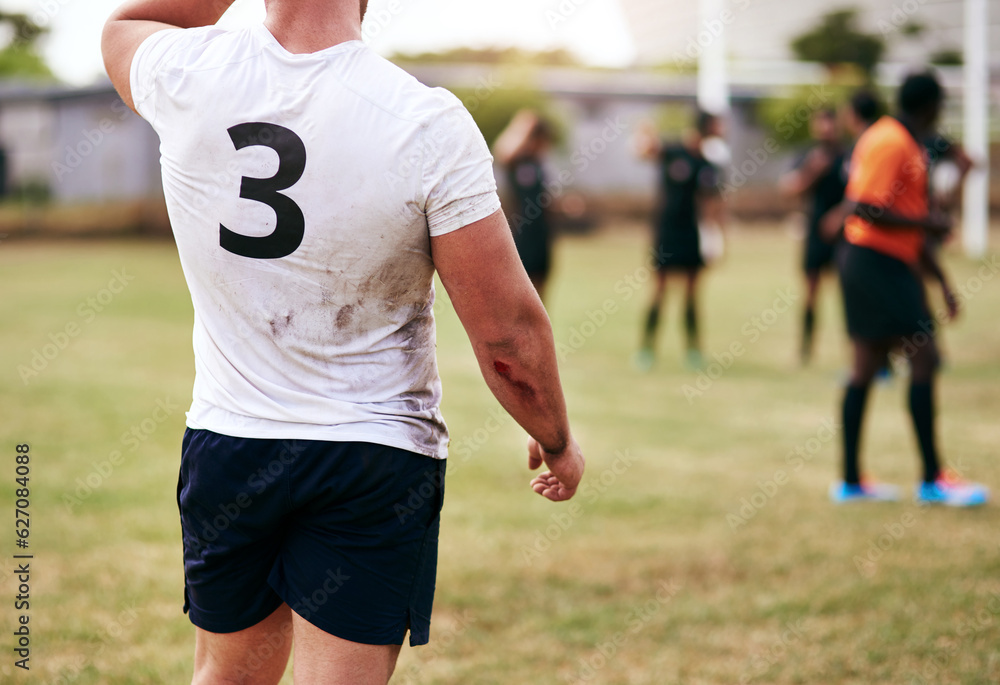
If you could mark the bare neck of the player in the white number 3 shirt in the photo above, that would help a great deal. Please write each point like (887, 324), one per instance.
(304, 27)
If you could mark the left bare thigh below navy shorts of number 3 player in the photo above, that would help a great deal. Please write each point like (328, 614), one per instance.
(255, 656)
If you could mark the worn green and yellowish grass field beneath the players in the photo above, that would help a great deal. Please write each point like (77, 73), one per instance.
(703, 550)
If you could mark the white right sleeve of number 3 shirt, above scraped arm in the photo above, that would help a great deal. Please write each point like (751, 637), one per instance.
(458, 183)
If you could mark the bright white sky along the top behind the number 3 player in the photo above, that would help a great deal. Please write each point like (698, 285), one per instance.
(593, 29)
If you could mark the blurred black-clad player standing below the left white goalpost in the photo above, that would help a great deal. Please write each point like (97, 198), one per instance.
(688, 194)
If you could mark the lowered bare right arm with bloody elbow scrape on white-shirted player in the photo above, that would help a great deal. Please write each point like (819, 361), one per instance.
(512, 339)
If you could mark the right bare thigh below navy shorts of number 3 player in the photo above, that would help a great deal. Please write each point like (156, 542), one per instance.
(324, 659)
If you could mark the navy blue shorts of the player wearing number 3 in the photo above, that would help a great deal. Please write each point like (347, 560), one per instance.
(345, 533)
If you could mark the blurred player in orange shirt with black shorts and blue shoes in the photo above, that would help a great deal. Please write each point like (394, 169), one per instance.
(889, 219)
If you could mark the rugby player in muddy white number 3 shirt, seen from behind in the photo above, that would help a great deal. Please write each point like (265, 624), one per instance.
(313, 189)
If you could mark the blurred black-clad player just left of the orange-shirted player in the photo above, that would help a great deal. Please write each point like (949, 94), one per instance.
(820, 176)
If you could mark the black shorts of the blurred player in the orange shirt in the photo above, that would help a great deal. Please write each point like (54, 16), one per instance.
(883, 297)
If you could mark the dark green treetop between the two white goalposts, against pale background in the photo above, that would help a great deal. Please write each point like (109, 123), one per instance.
(837, 40)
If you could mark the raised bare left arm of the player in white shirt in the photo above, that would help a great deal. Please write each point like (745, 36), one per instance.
(136, 20)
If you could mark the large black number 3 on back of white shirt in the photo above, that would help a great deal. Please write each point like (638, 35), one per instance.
(289, 223)
